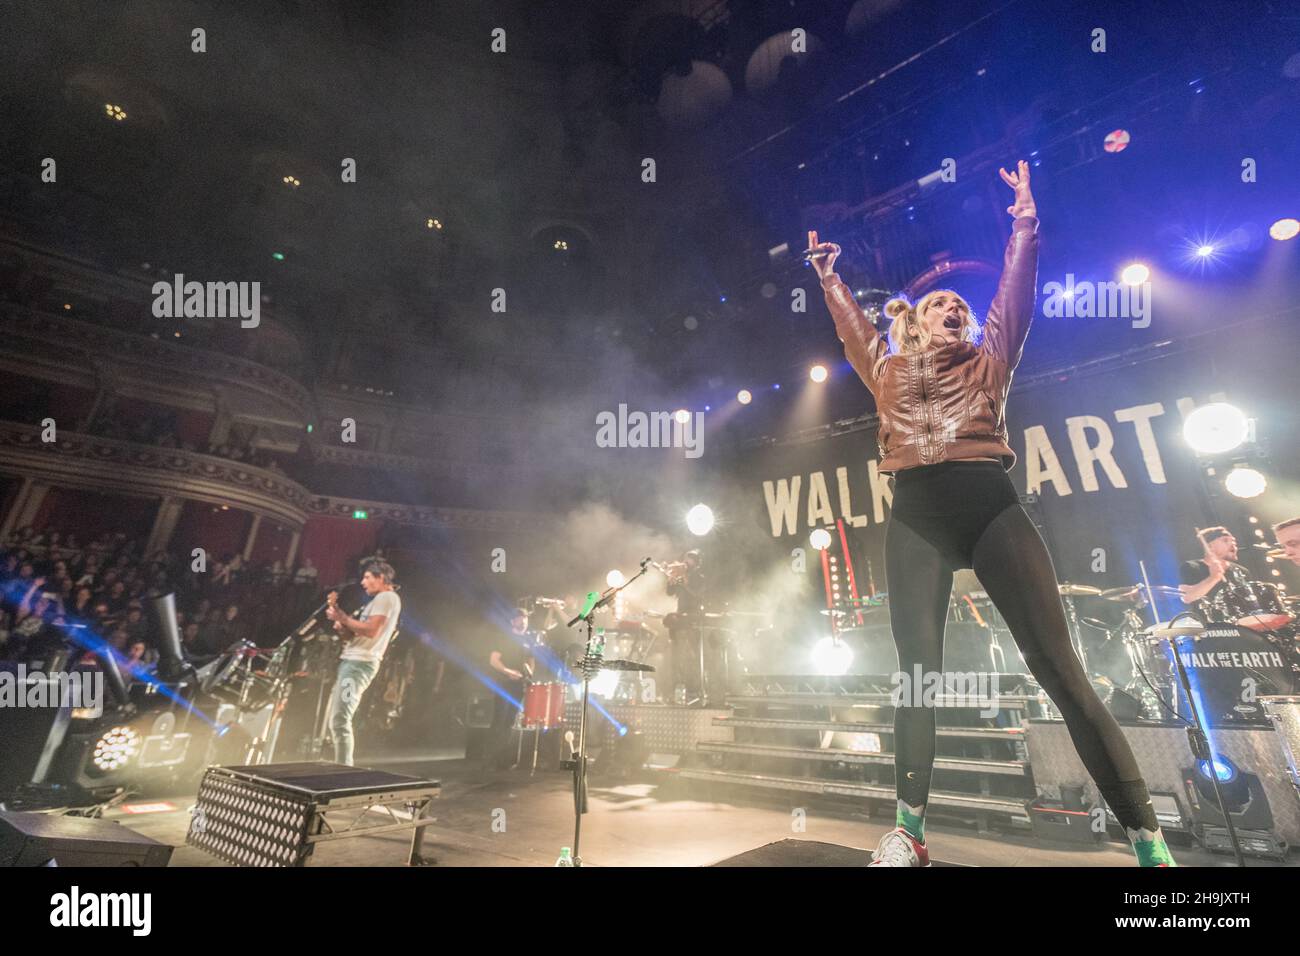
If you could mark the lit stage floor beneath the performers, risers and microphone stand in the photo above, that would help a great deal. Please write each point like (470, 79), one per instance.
(631, 825)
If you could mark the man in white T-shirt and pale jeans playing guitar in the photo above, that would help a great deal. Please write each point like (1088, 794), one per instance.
(366, 638)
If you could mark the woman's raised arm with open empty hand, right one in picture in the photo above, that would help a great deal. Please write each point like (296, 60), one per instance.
(1012, 310)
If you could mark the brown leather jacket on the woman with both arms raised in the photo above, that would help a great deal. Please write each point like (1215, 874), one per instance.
(951, 403)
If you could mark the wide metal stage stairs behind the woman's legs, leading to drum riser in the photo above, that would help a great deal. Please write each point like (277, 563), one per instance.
(834, 738)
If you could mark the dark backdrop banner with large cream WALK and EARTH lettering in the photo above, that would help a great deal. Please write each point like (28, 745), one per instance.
(1100, 456)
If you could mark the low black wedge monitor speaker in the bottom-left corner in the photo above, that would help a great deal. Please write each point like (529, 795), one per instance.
(34, 840)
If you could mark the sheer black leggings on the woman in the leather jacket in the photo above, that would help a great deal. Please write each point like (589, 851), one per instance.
(967, 514)
